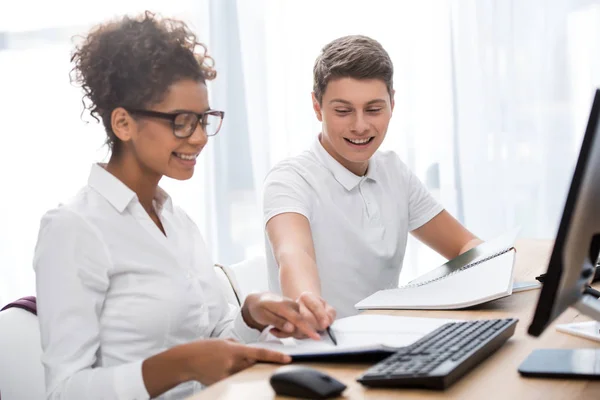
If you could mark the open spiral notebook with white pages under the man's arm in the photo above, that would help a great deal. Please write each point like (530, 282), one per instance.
(477, 276)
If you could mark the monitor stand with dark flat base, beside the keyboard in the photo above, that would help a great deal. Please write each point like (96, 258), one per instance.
(568, 363)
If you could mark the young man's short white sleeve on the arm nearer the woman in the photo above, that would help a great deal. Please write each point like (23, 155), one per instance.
(285, 190)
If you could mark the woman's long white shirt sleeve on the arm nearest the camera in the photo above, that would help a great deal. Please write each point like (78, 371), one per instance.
(72, 266)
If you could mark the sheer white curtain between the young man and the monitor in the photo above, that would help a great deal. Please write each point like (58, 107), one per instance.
(519, 115)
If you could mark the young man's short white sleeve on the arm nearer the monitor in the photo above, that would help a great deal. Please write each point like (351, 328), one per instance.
(422, 206)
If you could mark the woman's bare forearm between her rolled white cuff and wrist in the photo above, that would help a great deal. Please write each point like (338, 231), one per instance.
(165, 370)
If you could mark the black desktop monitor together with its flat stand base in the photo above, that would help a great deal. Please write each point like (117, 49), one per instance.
(571, 267)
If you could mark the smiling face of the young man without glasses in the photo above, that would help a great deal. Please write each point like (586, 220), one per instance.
(355, 114)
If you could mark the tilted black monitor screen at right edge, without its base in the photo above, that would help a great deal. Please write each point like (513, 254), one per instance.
(575, 252)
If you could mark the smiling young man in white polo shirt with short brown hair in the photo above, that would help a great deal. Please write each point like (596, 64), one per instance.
(338, 216)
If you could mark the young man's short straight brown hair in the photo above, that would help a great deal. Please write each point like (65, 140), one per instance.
(354, 56)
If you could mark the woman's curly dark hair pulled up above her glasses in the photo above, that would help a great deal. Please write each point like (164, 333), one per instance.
(132, 62)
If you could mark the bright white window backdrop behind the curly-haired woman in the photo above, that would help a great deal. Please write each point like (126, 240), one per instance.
(47, 149)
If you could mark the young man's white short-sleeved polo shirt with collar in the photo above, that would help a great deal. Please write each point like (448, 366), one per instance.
(359, 224)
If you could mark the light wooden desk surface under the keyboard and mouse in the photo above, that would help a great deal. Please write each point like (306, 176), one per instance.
(496, 378)
